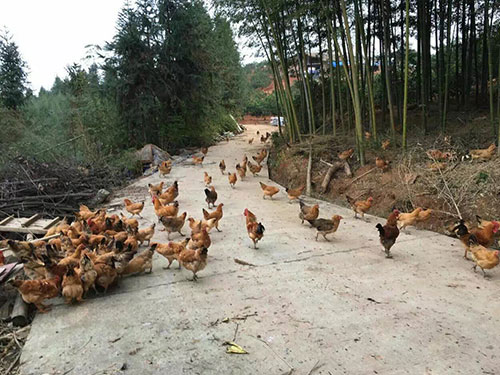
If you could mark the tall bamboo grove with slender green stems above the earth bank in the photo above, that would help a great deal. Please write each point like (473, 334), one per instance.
(378, 59)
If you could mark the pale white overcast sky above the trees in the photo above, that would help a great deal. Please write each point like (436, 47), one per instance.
(52, 34)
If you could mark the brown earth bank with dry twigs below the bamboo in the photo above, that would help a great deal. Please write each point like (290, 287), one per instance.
(411, 179)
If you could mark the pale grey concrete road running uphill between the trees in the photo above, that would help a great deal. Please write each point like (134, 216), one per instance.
(307, 307)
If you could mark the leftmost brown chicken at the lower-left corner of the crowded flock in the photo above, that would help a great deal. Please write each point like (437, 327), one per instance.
(37, 291)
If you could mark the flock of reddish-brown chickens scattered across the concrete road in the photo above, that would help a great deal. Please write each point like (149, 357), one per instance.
(96, 249)
